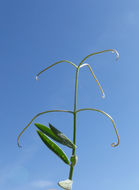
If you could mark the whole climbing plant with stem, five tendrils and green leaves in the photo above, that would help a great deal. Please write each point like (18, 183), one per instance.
(48, 133)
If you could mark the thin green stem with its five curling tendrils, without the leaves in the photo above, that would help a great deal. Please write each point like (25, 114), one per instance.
(75, 102)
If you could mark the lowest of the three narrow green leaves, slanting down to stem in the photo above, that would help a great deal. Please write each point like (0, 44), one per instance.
(52, 146)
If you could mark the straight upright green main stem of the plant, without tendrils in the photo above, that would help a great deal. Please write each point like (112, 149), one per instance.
(74, 131)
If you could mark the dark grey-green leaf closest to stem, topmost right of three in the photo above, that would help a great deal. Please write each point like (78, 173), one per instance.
(64, 140)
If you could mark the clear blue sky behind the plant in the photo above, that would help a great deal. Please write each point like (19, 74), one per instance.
(35, 34)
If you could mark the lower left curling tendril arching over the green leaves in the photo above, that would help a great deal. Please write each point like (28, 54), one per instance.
(49, 111)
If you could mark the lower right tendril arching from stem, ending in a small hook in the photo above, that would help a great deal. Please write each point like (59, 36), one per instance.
(91, 109)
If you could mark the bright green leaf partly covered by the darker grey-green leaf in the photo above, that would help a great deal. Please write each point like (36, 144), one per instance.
(47, 131)
